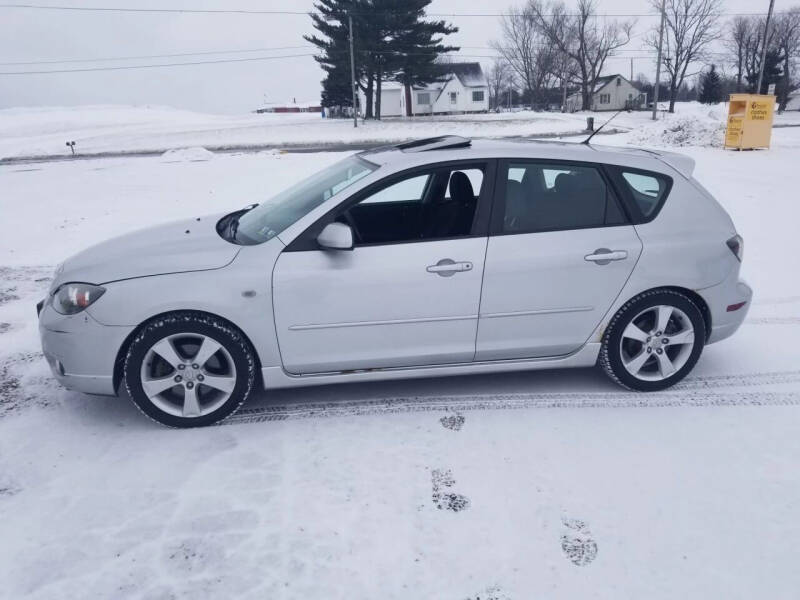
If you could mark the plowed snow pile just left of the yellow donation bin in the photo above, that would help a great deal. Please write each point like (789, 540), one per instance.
(694, 126)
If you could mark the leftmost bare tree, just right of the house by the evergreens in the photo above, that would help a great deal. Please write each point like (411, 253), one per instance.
(525, 50)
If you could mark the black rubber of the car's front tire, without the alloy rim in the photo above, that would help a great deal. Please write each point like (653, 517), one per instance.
(233, 341)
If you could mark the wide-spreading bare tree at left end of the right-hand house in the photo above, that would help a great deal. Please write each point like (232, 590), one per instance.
(582, 36)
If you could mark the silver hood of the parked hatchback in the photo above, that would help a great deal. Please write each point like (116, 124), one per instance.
(187, 245)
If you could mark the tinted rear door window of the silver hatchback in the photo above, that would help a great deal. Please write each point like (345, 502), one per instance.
(549, 197)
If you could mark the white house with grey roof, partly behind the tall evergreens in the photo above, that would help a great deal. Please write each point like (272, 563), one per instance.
(464, 89)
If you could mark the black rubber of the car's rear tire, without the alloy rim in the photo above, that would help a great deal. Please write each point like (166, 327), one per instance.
(611, 358)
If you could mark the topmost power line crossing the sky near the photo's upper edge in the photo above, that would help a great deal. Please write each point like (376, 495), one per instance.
(243, 11)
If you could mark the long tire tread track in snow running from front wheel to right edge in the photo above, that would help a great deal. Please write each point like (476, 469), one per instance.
(694, 398)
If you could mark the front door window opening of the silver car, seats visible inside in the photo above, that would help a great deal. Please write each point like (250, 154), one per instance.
(435, 204)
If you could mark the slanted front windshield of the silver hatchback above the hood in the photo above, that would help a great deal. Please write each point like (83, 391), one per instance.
(279, 212)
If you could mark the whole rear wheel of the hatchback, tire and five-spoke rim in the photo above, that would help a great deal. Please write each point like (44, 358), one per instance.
(638, 348)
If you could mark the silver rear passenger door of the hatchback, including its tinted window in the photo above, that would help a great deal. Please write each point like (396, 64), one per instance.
(560, 250)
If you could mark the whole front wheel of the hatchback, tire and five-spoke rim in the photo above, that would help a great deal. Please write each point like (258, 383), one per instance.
(189, 369)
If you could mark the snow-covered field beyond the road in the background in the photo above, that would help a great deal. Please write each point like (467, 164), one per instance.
(99, 129)
